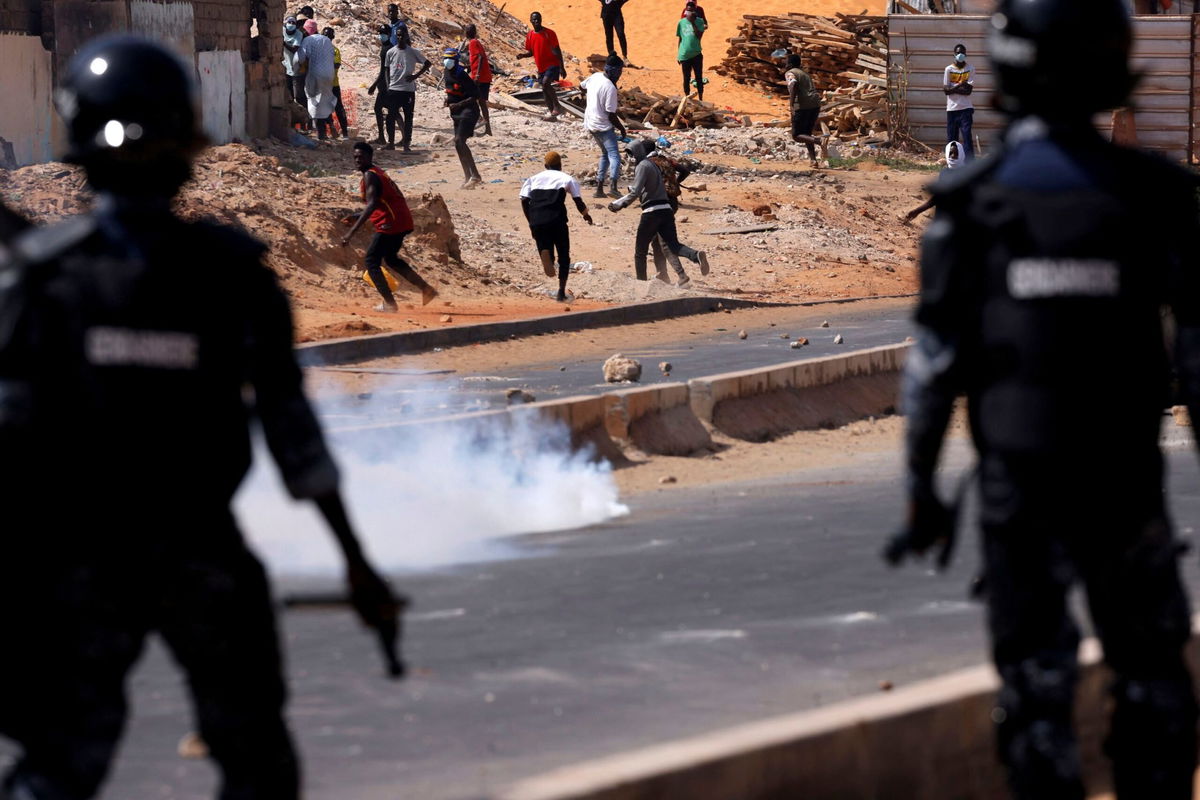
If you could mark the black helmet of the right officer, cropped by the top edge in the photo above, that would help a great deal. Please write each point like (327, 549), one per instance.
(1033, 43)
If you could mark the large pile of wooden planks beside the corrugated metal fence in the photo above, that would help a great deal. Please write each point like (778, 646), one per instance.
(847, 56)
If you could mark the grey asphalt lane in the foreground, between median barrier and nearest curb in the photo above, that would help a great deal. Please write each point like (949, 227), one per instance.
(700, 610)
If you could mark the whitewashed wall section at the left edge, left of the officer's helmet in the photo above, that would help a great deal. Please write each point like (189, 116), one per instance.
(27, 99)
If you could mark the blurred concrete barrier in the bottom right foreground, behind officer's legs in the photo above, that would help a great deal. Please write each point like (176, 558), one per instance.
(928, 742)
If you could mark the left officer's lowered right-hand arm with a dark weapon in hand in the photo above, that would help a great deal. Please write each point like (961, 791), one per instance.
(298, 447)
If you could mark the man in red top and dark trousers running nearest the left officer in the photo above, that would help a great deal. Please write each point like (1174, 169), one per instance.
(393, 221)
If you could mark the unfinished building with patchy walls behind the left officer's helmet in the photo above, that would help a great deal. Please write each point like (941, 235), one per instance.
(235, 47)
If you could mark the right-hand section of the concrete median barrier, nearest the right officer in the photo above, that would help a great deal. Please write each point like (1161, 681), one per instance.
(759, 405)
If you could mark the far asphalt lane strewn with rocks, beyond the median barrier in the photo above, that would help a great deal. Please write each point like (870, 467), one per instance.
(409, 394)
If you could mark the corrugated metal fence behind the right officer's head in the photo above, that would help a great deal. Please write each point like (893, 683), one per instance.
(1165, 52)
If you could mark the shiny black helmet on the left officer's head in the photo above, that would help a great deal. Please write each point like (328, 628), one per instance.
(130, 109)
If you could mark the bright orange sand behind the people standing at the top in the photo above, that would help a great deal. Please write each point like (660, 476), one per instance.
(650, 28)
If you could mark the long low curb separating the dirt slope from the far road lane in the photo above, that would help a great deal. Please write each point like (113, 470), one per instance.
(364, 348)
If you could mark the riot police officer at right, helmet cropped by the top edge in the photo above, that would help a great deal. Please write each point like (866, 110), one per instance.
(1043, 278)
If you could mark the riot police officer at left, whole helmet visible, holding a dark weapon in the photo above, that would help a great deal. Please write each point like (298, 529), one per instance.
(135, 351)
